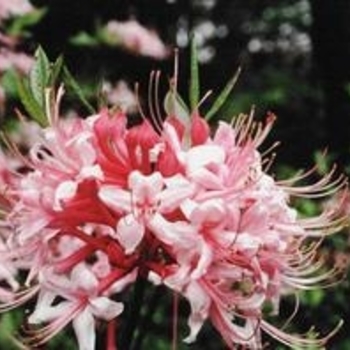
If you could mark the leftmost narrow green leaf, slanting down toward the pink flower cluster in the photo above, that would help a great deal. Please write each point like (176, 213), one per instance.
(31, 105)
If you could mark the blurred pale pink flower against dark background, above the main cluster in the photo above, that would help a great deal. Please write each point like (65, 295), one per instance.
(135, 38)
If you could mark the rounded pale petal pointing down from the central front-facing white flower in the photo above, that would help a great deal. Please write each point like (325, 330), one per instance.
(130, 233)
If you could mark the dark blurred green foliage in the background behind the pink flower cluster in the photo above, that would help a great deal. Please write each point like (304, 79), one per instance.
(275, 43)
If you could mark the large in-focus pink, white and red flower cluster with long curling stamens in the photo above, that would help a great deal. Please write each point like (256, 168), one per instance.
(97, 204)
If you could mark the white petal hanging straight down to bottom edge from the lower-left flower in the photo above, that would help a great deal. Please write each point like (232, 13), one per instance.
(84, 327)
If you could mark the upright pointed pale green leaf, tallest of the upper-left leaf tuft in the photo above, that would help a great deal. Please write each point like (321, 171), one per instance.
(39, 75)
